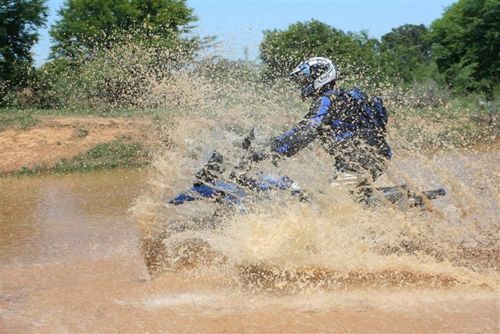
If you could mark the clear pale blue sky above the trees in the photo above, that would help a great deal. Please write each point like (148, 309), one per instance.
(239, 24)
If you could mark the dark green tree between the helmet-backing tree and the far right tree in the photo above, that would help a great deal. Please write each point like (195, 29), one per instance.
(406, 52)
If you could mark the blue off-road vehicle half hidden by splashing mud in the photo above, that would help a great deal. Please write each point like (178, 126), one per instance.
(227, 195)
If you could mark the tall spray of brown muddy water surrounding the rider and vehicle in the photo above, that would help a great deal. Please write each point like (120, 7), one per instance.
(333, 243)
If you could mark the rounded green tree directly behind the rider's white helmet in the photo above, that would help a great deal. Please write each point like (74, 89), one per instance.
(281, 50)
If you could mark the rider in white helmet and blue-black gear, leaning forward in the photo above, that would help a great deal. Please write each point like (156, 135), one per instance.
(349, 124)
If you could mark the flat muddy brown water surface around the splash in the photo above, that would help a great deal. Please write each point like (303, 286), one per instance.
(70, 263)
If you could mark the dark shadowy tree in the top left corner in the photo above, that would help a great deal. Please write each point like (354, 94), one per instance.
(19, 21)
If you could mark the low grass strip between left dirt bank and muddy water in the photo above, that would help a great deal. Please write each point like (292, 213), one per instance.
(115, 154)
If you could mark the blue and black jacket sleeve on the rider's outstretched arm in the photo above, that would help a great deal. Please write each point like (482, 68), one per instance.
(305, 131)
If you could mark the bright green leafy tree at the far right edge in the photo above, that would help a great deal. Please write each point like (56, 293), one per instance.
(466, 45)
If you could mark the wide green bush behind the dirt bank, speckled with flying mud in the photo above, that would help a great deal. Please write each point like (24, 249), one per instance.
(122, 76)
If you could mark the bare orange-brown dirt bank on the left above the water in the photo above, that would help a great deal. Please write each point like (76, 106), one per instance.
(53, 138)
